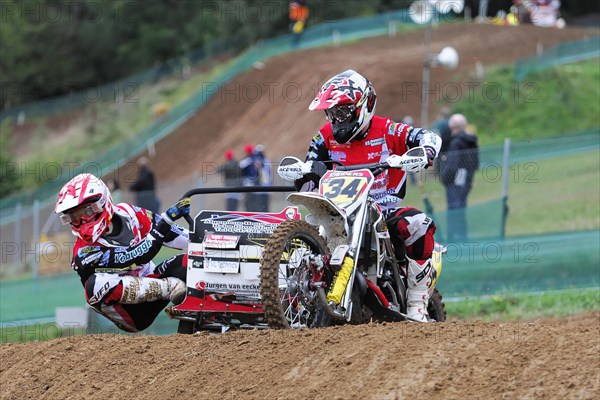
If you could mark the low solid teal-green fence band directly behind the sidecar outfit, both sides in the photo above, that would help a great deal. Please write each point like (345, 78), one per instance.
(470, 269)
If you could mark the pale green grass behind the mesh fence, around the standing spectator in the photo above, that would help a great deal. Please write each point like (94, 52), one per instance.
(553, 195)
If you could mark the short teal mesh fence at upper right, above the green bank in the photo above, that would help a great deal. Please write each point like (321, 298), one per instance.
(560, 54)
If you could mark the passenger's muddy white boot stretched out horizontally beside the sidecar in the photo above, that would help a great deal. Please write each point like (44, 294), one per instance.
(141, 290)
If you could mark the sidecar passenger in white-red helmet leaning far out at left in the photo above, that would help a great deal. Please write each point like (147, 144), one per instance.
(114, 249)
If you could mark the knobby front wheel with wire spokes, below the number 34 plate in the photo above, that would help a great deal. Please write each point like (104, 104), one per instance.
(291, 265)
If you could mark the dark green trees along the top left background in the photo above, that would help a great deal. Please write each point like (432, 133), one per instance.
(52, 47)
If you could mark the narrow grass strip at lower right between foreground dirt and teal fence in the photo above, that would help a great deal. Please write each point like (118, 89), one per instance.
(518, 306)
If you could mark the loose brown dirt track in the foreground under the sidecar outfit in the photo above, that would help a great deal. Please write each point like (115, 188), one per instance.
(542, 359)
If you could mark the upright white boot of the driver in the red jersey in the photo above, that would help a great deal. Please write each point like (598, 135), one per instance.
(419, 280)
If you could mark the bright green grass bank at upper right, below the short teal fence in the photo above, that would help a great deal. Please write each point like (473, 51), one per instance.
(545, 104)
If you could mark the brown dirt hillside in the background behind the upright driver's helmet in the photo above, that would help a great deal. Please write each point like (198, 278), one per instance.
(270, 106)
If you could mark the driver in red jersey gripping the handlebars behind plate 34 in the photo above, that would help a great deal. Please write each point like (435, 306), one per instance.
(355, 135)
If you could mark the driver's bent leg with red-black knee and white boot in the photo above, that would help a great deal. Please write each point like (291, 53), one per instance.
(416, 230)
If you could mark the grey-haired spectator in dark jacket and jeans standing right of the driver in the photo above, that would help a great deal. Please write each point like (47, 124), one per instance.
(457, 171)
